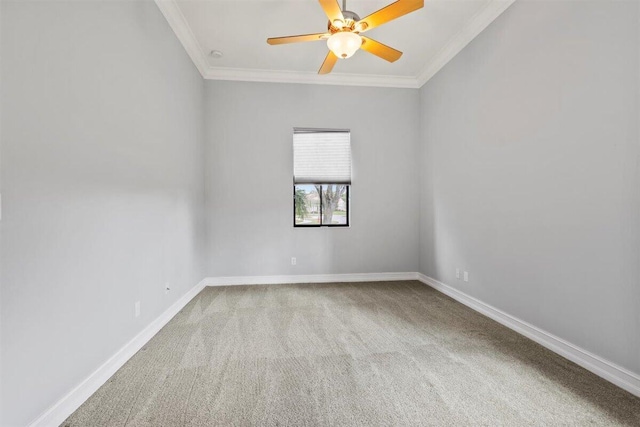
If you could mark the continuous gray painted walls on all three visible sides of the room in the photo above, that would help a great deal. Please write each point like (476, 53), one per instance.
(518, 162)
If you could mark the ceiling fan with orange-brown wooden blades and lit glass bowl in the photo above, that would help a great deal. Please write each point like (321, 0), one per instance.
(344, 29)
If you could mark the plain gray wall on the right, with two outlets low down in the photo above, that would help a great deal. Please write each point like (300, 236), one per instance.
(530, 160)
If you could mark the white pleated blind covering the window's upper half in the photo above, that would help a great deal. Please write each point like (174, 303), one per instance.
(321, 156)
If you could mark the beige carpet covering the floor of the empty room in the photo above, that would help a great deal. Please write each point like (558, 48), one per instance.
(365, 354)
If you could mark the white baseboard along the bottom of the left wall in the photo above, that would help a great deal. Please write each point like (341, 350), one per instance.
(55, 415)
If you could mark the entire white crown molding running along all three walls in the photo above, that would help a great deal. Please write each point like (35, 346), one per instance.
(181, 28)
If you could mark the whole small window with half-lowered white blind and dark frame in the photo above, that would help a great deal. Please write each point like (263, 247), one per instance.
(321, 177)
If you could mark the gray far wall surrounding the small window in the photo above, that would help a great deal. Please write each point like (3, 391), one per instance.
(249, 179)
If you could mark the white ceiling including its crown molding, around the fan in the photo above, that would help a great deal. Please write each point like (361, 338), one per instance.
(429, 38)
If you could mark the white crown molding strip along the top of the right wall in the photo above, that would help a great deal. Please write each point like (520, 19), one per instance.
(476, 25)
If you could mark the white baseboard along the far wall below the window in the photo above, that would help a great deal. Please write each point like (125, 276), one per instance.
(308, 278)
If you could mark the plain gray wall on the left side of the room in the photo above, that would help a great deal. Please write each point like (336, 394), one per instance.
(103, 188)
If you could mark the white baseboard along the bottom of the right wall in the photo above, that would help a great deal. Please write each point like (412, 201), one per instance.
(617, 375)
